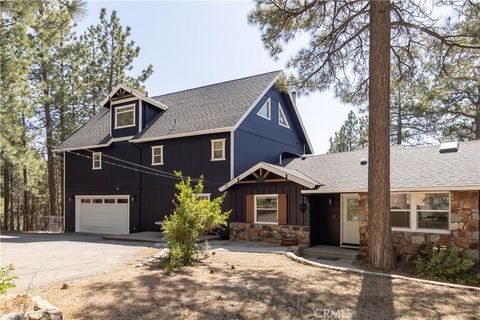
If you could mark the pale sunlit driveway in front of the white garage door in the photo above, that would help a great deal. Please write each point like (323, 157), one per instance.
(41, 259)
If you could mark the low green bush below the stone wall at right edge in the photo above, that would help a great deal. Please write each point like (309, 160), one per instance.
(447, 264)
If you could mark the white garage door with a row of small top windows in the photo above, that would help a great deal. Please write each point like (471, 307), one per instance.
(102, 214)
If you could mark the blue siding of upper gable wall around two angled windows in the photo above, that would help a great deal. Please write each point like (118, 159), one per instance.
(259, 139)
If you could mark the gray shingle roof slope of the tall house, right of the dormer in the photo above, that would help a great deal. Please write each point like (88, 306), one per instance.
(215, 106)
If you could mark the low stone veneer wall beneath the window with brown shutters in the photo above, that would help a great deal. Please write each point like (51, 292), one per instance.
(269, 232)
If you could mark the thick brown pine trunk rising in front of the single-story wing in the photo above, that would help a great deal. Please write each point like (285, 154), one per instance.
(380, 253)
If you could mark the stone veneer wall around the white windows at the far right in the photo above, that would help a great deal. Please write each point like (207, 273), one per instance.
(464, 229)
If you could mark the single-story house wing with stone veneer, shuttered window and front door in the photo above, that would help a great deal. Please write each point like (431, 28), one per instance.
(323, 199)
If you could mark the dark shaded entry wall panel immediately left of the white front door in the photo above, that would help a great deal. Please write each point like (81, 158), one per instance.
(325, 219)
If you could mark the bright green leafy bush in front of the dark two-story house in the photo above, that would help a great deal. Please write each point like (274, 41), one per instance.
(191, 218)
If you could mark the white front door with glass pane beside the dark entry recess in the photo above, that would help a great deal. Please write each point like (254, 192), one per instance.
(350, 220)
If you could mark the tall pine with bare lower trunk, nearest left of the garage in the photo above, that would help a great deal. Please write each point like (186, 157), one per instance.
(50, 30)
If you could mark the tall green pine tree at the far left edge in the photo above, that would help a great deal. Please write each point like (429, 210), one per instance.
(14, 67)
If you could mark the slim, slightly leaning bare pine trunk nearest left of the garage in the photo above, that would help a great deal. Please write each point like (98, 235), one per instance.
(49, 143)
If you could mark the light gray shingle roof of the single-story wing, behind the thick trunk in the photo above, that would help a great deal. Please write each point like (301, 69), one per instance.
(419, 167)
